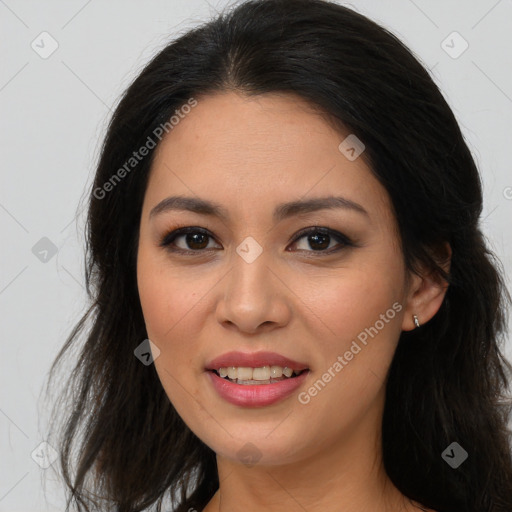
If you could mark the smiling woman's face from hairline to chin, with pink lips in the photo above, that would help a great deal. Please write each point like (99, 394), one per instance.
(323, 287)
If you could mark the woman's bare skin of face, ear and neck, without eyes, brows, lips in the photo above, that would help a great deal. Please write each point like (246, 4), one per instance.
(249, 154)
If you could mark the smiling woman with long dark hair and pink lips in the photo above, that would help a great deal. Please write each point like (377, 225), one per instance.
(293, 306)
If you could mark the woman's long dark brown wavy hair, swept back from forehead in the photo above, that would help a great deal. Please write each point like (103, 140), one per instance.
(448, 381)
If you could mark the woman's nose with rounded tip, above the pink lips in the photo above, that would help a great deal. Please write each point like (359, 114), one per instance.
(255, 297)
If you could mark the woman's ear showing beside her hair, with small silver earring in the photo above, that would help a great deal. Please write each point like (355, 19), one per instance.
(426, 292)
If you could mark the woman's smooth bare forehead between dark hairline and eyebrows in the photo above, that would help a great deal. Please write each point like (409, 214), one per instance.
(248, 152)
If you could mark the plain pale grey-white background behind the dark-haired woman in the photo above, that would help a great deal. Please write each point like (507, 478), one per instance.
(53, 116)
